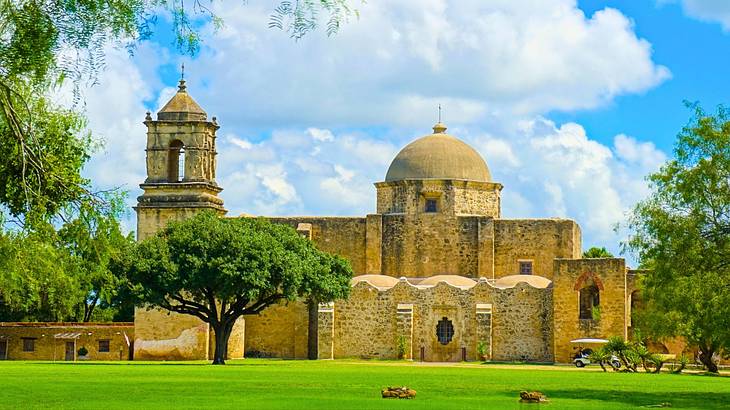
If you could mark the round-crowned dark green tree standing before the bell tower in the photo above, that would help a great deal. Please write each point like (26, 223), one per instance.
(219, 269)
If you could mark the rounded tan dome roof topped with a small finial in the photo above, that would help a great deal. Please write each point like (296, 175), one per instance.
(438, 156)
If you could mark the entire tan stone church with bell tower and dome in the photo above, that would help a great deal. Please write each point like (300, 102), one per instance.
(438, 271)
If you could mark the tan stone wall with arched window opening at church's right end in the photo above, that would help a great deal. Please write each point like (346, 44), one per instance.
(609, 275)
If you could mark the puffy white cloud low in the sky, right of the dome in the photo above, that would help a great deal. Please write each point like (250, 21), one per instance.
(557, 170)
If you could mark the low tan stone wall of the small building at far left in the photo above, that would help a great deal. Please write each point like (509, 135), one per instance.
(47, 347)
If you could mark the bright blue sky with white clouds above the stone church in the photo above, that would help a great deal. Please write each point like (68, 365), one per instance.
(570, 103)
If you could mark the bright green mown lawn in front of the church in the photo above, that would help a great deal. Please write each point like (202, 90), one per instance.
(263, 384)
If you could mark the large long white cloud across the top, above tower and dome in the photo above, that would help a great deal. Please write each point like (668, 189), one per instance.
(396, 62)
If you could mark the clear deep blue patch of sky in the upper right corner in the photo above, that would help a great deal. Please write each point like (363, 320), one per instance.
(697, 51)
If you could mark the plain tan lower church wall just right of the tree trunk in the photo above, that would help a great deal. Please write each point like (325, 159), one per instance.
(279, 331)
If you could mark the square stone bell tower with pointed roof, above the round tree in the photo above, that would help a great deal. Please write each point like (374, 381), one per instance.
(181, 162)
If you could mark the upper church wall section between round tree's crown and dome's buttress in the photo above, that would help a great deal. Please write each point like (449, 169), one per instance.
(339, 235)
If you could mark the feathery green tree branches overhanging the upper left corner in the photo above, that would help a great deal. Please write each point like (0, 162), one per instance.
(45, 42)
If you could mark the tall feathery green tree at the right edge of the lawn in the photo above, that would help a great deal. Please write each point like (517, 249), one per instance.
(682, 232)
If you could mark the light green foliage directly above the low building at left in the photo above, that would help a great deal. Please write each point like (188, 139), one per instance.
(49, 275)
